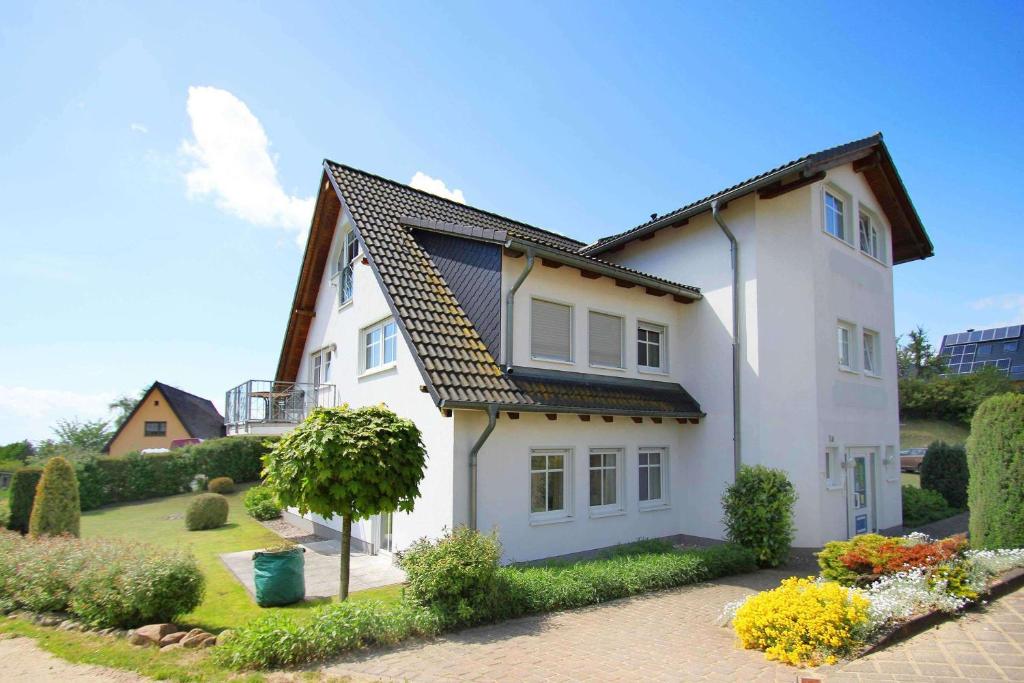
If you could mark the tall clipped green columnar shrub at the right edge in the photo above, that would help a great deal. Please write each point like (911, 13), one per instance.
(996, 459)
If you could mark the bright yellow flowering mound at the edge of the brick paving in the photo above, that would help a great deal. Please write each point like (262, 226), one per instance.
(802, 622)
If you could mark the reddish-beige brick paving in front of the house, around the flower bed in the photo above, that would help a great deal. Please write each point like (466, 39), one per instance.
(673, 636)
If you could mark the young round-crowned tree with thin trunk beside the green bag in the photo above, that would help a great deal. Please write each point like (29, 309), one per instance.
(354, 463)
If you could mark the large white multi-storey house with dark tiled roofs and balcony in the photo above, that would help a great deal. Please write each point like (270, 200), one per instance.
(576, 397)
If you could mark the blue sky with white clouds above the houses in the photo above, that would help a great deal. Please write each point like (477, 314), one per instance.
(160, 160)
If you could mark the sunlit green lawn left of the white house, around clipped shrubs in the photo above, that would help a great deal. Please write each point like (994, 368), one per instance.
(227, 604)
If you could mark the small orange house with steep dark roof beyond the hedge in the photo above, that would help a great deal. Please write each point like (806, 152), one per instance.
(163, 416)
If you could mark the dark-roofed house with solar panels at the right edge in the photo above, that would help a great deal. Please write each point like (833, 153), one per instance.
(969, 352)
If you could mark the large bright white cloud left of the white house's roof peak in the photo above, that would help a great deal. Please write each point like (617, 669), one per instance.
(232, 163)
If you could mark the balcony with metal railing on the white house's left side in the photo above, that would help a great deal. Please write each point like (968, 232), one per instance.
(266, 407)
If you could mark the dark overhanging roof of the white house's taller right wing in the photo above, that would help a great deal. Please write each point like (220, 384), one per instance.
(870, 157)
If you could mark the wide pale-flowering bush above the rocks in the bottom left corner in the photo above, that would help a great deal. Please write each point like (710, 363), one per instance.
(104, 583)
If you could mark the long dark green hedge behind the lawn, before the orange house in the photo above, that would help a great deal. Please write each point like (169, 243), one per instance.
(138, 477)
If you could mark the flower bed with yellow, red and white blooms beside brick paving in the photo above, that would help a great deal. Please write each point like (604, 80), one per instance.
(871, 587)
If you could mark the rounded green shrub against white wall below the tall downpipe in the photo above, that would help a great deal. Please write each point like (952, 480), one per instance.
(759, 514)
